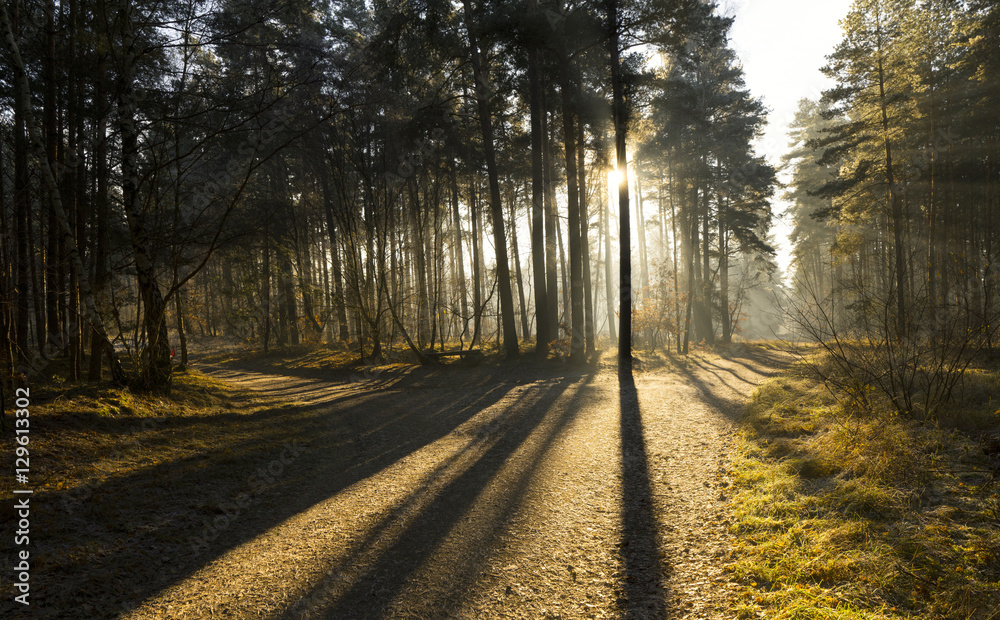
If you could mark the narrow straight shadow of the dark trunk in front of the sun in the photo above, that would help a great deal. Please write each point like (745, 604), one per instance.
(644, 578)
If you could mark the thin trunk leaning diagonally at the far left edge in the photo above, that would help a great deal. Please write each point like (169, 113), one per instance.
(24, 96)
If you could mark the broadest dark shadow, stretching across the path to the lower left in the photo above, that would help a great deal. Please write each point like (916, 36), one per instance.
(147, 546)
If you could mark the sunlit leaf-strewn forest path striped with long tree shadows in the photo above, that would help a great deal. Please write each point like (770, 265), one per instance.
(498, 492)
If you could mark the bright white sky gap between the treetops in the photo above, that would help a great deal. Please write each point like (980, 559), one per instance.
(783, 44)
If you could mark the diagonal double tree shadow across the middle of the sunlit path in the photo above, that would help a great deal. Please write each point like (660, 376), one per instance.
(448, 510)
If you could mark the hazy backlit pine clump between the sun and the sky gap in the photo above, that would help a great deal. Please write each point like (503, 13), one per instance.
(700, 154)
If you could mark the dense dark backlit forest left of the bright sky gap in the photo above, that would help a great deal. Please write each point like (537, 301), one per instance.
(390, 177)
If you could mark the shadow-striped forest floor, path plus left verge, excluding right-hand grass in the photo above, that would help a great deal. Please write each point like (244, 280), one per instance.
(529, 490)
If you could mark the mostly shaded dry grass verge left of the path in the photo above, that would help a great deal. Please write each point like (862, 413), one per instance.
(109, 467)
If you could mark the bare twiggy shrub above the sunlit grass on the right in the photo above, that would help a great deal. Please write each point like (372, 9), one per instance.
(877, 368)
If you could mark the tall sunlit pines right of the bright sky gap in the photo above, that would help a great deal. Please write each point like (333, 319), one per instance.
(894, 179)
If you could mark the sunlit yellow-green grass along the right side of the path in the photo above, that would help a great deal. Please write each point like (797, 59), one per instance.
(865, 516)
